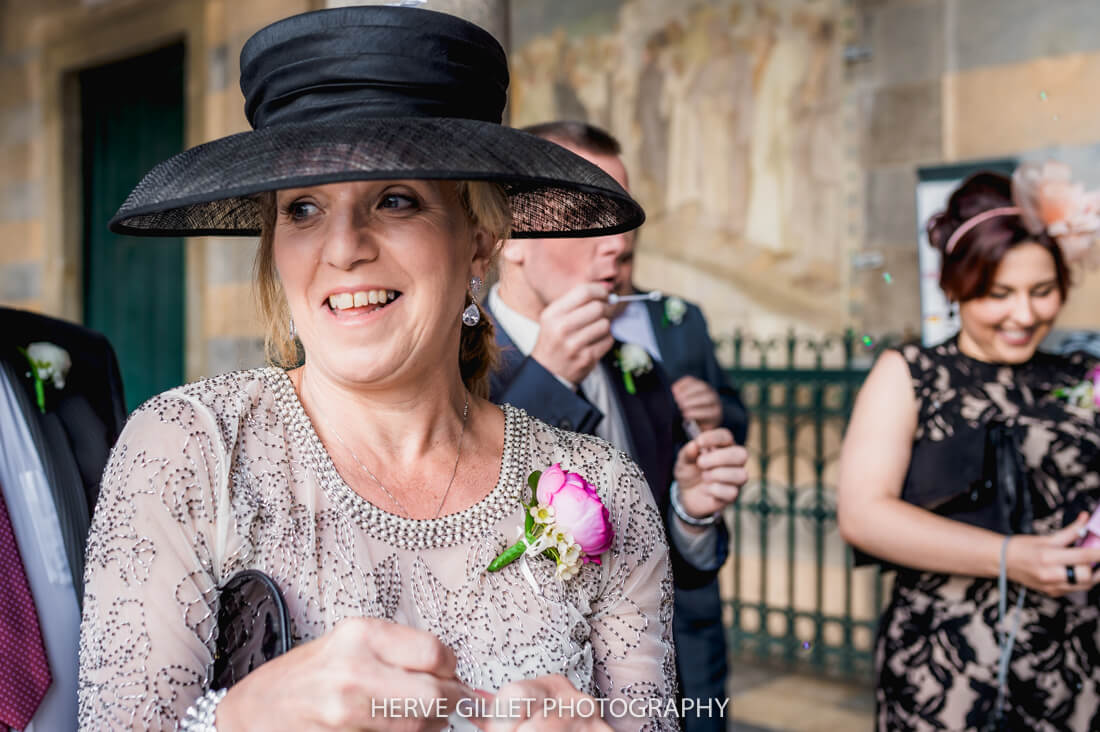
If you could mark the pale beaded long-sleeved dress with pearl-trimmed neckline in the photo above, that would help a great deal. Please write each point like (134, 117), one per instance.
(228, 474)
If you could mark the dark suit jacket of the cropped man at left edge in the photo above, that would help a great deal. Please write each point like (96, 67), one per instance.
(82, 423)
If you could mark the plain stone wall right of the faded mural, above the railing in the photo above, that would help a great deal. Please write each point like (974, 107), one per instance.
(961, 81)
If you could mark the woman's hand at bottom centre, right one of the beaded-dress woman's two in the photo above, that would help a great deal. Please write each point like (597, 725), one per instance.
(547, 704)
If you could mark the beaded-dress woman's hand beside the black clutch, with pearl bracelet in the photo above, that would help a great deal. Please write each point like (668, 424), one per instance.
(359, 676)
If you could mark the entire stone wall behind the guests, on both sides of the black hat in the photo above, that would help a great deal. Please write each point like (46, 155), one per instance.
(889, 86)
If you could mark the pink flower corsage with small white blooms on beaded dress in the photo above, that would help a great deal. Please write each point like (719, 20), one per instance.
(566, 521)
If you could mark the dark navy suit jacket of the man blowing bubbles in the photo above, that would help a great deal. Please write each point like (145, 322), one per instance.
(652, 419)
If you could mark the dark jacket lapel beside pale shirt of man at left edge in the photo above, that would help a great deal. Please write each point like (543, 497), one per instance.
(62, 474)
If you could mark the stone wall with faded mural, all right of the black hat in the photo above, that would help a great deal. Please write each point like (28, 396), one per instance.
(871, 92)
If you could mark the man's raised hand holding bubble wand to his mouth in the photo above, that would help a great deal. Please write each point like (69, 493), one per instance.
(575, 333)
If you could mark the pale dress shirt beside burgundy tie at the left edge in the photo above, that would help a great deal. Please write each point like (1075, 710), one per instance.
(39, 538)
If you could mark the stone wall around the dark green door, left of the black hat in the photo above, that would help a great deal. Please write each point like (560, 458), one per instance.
(42, 47)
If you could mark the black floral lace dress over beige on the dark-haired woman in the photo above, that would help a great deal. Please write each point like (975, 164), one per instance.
(938, 650)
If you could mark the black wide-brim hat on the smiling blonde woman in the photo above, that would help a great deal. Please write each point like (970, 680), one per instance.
(375, 93)
